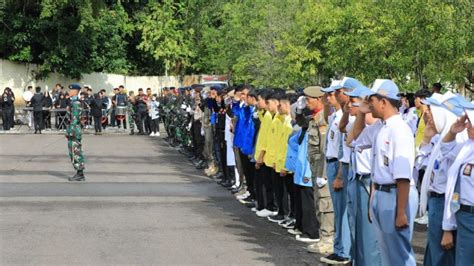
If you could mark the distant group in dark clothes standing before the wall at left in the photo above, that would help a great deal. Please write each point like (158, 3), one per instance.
(98, 109)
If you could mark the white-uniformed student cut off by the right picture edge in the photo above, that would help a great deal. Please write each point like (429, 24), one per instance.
(459, 200)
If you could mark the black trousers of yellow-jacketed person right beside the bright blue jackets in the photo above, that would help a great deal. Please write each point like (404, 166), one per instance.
(264, 189)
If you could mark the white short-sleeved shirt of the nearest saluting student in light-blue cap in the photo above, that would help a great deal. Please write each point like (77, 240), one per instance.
(393, 150)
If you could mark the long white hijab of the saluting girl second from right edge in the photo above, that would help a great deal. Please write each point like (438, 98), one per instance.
(443, 119)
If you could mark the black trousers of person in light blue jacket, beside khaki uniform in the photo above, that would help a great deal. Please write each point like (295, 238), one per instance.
(305, 212)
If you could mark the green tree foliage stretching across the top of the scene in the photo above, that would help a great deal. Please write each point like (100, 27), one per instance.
(286, 43)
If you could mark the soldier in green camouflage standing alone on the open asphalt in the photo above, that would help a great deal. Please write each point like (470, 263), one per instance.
(74, 134)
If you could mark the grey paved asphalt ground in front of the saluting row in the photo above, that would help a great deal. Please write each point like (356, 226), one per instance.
(142, 203)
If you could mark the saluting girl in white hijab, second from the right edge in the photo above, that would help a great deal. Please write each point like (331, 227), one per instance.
(438, 123)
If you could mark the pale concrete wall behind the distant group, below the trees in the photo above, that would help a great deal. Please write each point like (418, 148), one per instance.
(18, 77)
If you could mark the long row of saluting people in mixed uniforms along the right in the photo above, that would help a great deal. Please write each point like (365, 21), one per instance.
(343, 168)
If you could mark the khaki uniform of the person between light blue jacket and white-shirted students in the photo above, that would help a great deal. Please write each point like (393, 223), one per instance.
(324, 211)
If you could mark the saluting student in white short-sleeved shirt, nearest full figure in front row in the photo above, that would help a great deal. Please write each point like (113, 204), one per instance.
(394, 199)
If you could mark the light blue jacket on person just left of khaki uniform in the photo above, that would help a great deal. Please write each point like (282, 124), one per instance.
(297, 160)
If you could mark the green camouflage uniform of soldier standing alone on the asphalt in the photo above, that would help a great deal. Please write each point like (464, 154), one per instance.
(74, 135)
